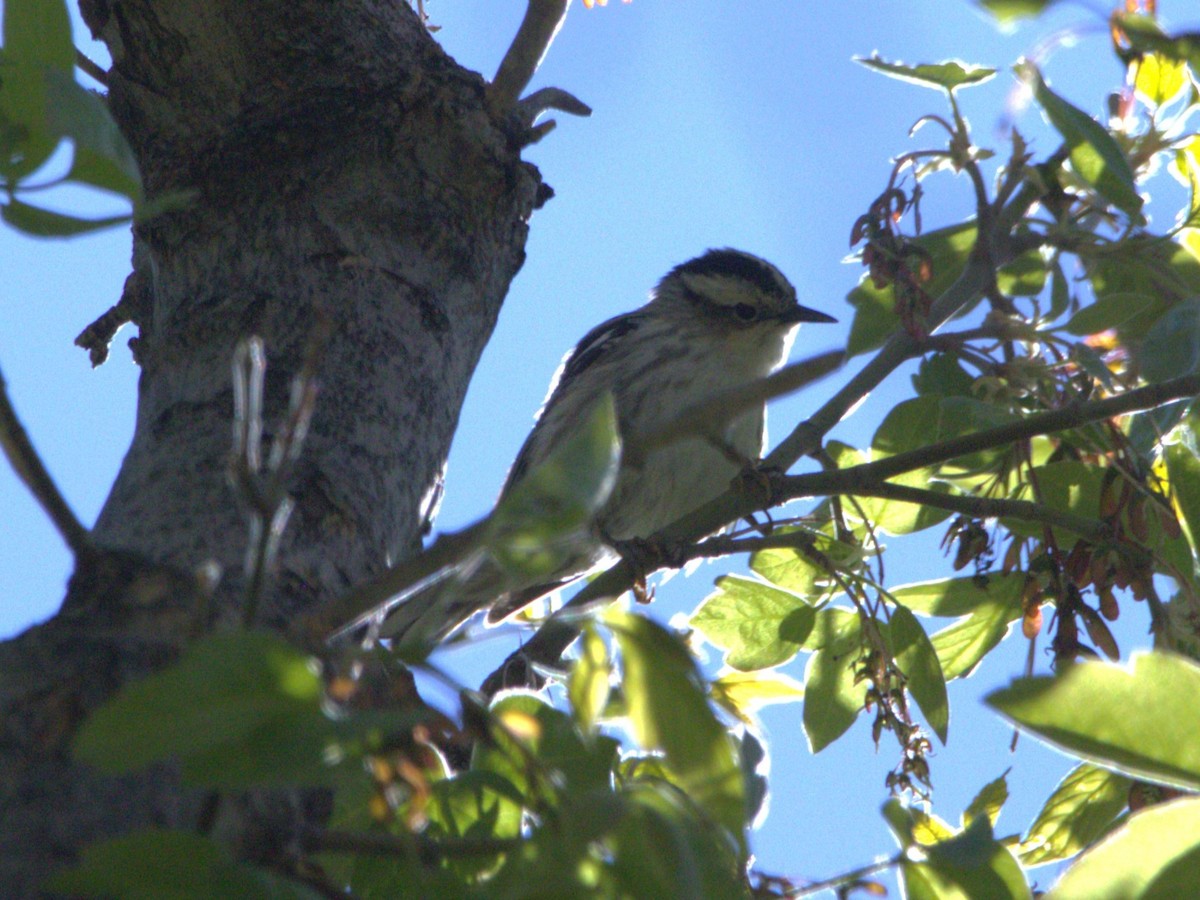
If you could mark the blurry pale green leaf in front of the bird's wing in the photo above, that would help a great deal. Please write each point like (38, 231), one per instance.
(545, 518)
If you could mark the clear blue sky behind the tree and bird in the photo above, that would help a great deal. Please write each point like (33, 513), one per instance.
(716, 124)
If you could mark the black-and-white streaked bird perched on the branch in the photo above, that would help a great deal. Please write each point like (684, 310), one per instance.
(718, 322)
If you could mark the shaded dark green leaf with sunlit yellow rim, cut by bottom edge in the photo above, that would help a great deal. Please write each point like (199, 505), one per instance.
(971, 865)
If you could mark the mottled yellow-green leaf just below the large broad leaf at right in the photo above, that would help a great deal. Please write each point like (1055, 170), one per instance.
(1082, 808)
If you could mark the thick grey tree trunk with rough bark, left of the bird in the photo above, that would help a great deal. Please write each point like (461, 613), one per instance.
(343, 166)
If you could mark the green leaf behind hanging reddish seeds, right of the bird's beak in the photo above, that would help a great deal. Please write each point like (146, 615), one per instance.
(875, 317)
